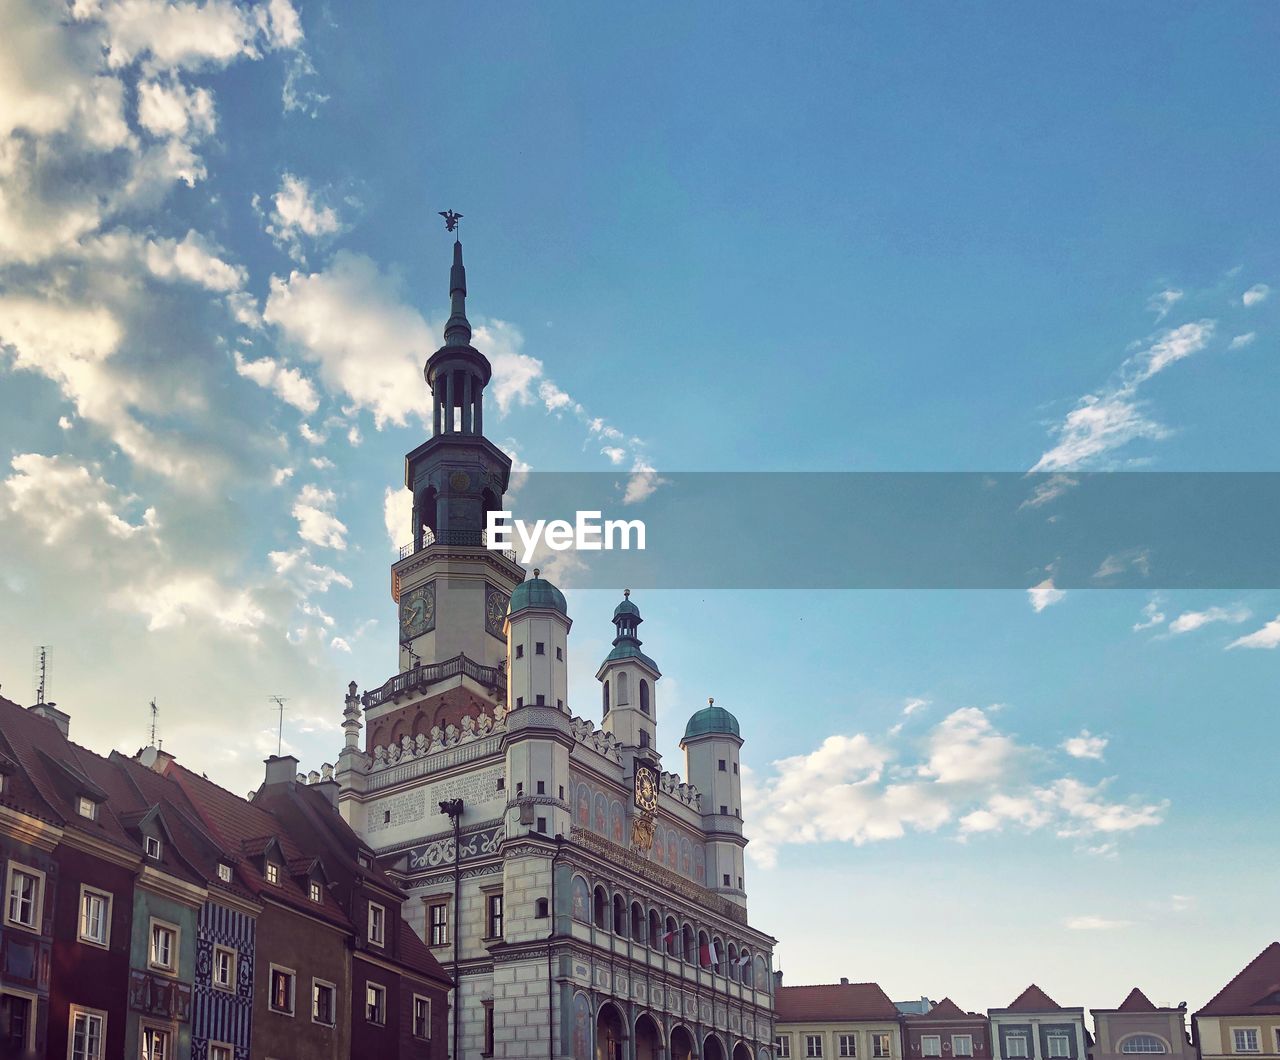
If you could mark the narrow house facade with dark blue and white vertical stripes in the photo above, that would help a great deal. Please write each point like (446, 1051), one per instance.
(223, 1016)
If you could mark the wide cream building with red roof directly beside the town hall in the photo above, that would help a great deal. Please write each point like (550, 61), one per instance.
(836, 1022)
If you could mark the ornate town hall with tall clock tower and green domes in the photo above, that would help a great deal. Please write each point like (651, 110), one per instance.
(588, 903)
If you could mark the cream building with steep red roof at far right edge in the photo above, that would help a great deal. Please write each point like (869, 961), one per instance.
(1245, 1018)
